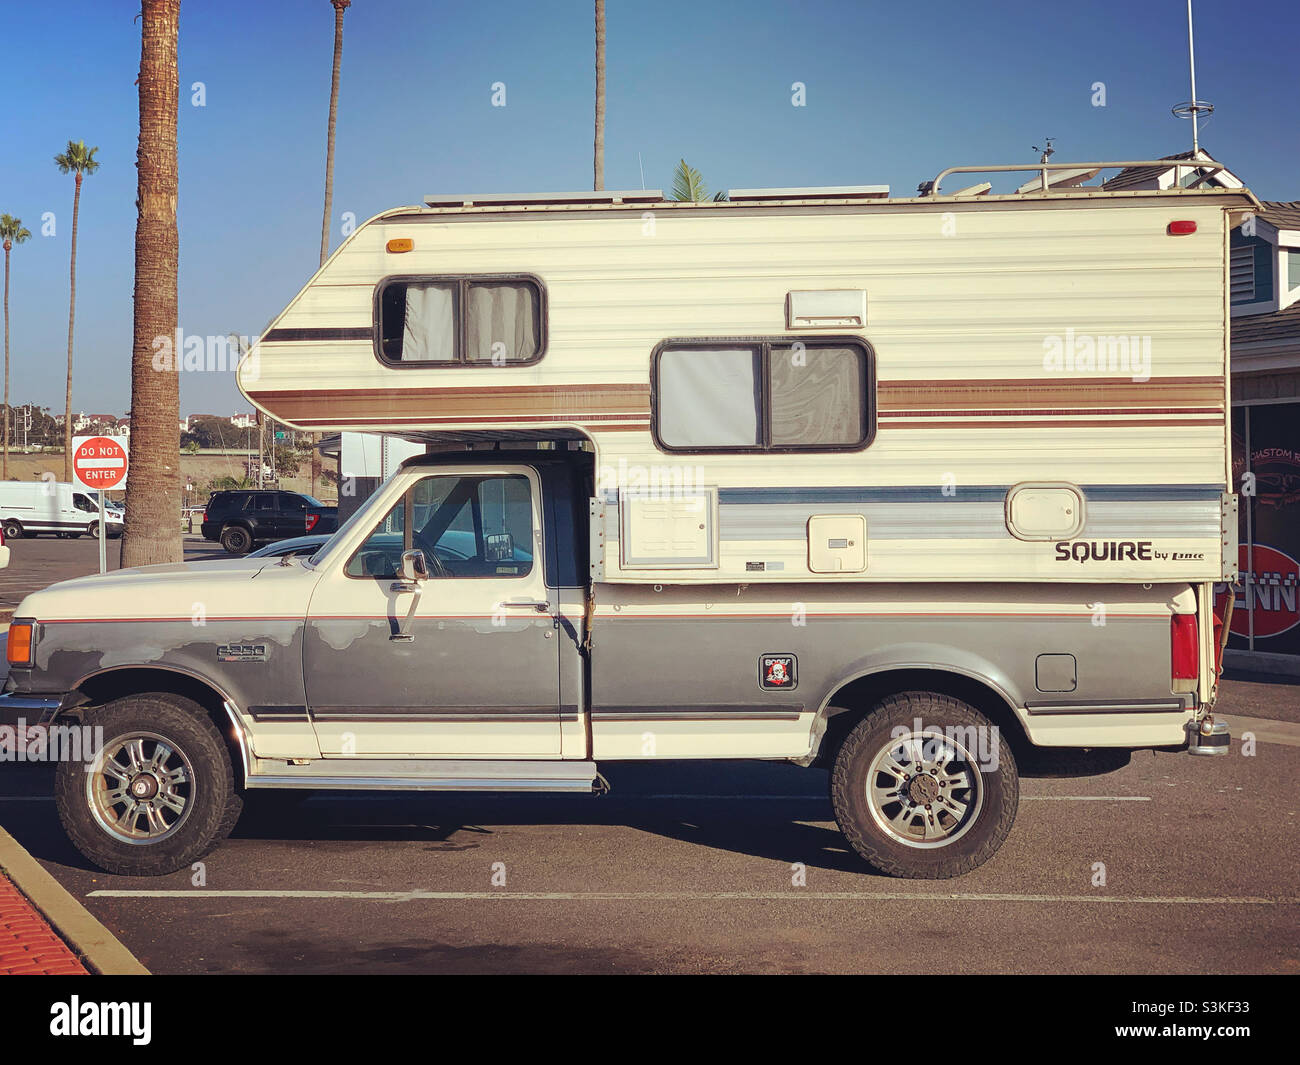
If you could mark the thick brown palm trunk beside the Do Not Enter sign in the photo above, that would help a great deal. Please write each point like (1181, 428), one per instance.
(154, 488)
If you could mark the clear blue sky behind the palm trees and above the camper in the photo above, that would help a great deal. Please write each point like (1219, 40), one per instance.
(895, 93)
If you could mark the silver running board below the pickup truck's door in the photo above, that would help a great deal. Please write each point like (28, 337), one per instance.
(415, 776)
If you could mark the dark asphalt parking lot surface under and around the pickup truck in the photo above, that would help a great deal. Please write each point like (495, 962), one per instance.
(1169, 865)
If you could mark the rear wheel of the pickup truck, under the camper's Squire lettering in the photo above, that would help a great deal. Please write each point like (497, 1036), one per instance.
(989, 804)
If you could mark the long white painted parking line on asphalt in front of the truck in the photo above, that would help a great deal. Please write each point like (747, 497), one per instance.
(688, 897)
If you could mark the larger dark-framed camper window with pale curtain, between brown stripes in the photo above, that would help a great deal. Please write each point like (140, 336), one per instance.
(764, 396)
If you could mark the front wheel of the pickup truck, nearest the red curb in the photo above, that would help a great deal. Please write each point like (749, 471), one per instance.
(157, 796)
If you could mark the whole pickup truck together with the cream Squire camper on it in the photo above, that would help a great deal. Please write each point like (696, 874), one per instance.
(907, 490)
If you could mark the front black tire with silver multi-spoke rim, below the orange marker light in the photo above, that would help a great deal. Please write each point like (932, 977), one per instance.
(211, 804)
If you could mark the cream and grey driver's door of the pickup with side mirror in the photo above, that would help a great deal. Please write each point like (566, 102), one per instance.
(463, 664)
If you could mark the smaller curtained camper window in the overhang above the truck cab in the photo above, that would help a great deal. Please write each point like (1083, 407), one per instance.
(460, 321)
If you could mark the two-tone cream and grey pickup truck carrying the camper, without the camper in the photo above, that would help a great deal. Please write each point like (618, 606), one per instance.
(454, 637)
